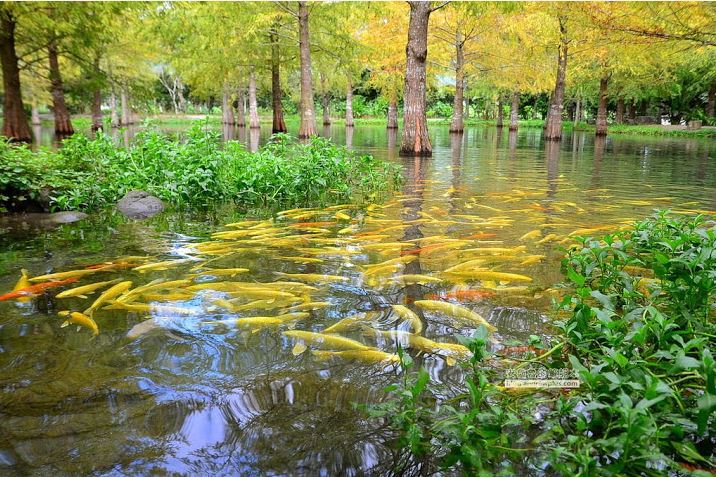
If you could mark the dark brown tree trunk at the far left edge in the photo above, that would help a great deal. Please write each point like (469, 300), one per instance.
(15, 126)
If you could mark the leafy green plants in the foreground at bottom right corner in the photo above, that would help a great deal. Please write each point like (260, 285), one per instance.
(639, 334)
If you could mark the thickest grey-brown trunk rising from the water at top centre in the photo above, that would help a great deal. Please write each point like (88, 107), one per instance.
(416, 141)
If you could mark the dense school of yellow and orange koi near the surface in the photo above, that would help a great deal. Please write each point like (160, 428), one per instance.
(442, 266)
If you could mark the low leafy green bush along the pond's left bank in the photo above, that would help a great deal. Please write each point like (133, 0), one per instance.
(92, 173)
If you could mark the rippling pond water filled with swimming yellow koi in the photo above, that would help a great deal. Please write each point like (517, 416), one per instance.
(194, 391)
